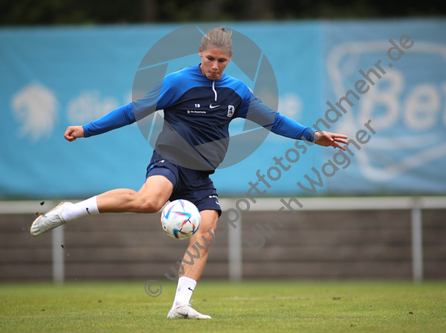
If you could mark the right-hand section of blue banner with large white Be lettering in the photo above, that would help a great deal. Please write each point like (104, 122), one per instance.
(400, 70)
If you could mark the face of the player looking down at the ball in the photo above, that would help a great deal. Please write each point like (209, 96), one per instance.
(213, 62)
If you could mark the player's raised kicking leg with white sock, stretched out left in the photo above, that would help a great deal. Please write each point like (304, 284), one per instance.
(149, 199)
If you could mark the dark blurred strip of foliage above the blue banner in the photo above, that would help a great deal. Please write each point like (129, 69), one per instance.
(57, 12)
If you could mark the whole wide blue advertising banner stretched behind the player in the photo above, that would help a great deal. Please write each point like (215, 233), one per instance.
(52, 78)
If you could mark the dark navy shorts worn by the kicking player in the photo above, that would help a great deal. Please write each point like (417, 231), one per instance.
(192, 185)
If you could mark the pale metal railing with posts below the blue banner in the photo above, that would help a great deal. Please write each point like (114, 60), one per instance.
(415, 204)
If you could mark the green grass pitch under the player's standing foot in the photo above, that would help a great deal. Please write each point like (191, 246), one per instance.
(259, 306)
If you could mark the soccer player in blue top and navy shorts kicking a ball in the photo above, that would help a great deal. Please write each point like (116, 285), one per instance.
(188, 149)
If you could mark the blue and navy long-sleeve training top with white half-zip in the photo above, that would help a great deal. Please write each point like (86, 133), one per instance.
(197, 113)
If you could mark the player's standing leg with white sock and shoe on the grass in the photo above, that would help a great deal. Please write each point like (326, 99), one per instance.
(193, 265)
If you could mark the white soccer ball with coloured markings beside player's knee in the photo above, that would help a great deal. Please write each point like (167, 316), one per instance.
(180, 219)
